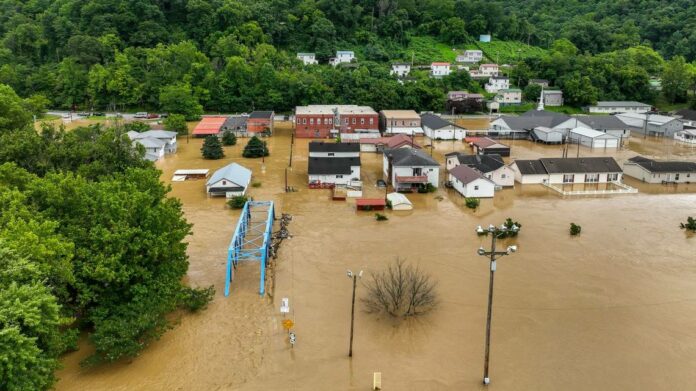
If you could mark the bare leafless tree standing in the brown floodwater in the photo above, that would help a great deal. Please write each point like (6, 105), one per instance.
(401, 290)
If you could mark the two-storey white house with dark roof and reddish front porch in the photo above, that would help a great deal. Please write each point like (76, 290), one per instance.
(407, 169)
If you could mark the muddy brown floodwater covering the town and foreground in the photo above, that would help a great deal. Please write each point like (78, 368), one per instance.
(611, 309)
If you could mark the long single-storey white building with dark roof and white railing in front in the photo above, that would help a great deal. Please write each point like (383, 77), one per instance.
(567, 170)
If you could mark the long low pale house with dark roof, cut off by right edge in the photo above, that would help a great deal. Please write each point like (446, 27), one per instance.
(660, 171)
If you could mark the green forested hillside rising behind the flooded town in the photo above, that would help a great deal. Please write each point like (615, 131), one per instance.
(238, 55)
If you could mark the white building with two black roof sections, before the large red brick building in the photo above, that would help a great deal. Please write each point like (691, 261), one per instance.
(333, 163)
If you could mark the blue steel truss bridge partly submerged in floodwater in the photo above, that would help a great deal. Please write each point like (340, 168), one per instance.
(251, 240)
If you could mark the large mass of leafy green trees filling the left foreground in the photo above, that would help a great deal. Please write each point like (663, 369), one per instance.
(89, 241)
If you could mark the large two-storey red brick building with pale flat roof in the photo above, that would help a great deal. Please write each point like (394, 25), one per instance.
(324, 121)
